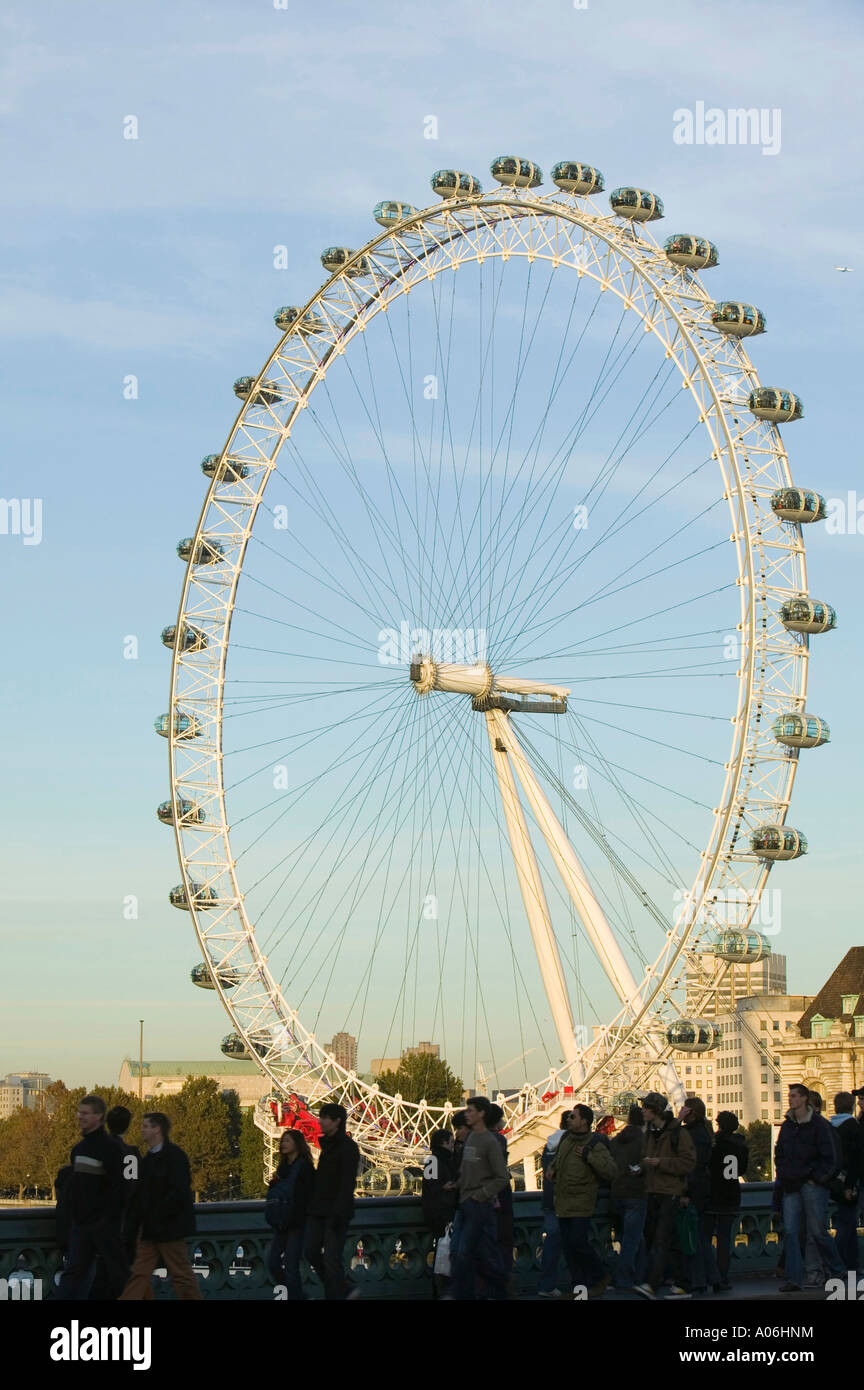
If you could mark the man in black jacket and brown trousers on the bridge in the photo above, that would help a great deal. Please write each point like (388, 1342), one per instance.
(166, 1216)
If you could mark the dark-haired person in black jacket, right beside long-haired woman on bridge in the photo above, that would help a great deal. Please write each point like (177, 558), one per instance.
(333, 1203)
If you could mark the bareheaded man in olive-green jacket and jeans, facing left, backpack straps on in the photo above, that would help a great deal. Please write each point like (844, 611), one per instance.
(581, 1163)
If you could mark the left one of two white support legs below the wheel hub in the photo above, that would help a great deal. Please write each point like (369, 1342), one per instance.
(535, 903)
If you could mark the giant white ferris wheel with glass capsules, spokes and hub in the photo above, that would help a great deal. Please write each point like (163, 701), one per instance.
(490, 672)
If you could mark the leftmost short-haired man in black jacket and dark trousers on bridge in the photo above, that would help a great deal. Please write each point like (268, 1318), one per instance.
(94, 1204)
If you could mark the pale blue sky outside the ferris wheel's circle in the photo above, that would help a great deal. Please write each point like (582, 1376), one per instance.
(155, 258)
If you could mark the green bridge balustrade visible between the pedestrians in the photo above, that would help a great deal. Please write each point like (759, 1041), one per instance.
(388, 1246)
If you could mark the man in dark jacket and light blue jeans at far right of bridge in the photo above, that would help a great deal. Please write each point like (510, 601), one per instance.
(804, 1164)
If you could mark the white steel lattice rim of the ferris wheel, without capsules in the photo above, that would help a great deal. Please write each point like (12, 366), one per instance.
(759, 775)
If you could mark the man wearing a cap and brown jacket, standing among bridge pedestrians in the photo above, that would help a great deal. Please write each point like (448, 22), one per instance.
(669, 1159)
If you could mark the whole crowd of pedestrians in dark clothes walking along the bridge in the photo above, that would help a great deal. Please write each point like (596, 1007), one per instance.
(673, 1185)
